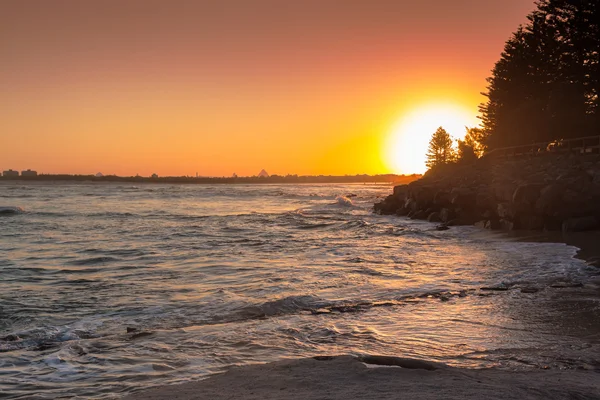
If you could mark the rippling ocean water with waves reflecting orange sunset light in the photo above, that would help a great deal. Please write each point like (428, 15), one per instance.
(110, 288)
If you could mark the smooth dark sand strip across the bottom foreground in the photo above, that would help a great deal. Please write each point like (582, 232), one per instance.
(345, 378)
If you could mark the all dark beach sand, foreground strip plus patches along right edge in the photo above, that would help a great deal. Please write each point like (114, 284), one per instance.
(346, 377)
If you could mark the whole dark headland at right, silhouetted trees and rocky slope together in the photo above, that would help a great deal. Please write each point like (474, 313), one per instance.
(543, 90)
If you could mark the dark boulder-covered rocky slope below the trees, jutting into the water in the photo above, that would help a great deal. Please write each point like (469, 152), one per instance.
(538, 192)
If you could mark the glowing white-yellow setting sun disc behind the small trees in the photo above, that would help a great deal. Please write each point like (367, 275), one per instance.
(406, 146)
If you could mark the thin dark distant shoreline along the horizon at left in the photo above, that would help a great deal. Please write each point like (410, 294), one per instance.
(274, 179)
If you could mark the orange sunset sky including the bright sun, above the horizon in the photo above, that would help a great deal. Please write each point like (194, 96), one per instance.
(234, 86)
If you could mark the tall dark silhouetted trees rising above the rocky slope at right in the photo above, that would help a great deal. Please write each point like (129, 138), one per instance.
(545, 85)
